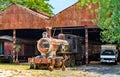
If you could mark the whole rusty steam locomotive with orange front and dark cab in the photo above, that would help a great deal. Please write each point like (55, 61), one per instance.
(63, 50)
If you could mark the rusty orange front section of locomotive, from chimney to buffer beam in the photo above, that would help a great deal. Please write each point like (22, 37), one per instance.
(48, 47)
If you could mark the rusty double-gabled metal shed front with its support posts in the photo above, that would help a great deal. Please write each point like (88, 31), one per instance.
(18, 19)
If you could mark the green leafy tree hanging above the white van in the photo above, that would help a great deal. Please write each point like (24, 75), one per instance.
(108, 18)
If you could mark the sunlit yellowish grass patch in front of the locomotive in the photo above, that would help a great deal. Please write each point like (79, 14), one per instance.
(22, 70)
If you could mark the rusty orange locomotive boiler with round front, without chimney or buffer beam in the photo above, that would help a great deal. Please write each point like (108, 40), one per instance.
(48, 46)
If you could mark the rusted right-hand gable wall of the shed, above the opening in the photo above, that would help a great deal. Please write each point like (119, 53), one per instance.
(74, 16)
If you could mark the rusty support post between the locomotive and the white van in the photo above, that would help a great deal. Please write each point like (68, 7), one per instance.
(86, 44)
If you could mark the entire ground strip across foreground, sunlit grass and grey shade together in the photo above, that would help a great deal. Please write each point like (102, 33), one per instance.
(94, 69)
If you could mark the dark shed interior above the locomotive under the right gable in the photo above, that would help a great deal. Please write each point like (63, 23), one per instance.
(93, 33)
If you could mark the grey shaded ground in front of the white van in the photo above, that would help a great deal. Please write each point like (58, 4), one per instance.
(104, 70)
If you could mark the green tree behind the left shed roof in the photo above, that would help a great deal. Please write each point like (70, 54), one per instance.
(37, 5)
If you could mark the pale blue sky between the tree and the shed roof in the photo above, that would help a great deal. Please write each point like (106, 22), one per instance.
(60, 5)
